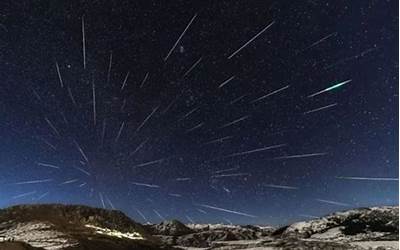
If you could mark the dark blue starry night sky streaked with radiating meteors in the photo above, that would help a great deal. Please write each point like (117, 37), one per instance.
(250, 112)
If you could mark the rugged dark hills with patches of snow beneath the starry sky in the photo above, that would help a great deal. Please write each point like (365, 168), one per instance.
(57, 226)
